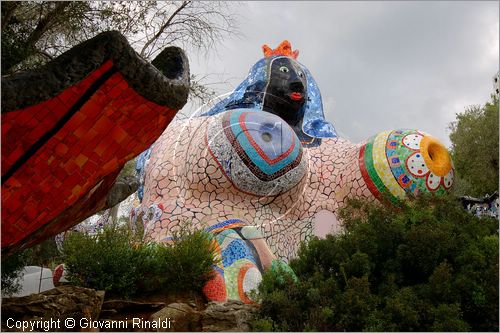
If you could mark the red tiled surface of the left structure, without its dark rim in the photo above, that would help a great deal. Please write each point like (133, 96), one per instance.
(77, 155)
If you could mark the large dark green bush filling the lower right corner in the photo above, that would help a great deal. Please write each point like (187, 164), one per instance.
(427, 265)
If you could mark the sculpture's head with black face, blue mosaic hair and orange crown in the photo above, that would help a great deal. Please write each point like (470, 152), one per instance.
(260, 91)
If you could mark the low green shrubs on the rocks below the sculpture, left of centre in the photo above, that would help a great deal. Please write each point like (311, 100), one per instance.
(113, 261)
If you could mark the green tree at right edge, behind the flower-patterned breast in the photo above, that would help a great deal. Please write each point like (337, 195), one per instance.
(474, 137)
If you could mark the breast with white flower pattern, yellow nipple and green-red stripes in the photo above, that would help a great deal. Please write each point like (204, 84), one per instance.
(394, 163)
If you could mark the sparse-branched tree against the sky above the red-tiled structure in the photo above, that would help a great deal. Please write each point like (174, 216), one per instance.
(34, 32)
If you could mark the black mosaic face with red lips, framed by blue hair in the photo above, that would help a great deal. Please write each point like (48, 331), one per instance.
(286, 92)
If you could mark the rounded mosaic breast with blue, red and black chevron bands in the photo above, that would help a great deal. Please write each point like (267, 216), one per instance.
(257, 151)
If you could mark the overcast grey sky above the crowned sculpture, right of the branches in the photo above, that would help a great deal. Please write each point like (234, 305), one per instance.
(379, 65)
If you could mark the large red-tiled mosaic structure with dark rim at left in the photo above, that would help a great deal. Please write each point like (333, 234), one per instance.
(69, 127)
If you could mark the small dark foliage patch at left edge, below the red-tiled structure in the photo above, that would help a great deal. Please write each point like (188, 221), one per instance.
(12, 267)
